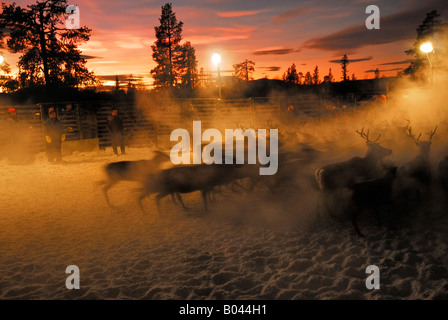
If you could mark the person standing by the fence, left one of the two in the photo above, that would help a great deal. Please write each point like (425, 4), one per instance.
(54, 135)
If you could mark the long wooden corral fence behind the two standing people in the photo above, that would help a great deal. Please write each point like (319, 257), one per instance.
(151, 125)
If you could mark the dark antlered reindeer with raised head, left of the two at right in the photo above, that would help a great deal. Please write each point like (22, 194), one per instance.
(335, 179)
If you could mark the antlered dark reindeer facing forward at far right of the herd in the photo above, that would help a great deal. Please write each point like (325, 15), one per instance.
(414, 177)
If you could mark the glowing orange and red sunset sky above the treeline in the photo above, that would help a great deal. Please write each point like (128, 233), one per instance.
(273, 34)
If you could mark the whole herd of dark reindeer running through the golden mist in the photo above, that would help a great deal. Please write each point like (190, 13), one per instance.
(346, 189)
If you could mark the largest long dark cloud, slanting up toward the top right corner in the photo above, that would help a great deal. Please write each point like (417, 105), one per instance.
(393, 28)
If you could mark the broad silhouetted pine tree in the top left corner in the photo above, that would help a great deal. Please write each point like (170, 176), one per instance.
(50, 54)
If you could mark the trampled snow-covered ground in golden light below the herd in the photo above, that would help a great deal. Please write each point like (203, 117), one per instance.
(250, 246)
